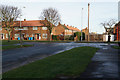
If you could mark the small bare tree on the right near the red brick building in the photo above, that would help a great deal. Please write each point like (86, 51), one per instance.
(109, 27)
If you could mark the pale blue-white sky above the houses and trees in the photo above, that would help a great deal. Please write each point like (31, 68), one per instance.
(70, 11)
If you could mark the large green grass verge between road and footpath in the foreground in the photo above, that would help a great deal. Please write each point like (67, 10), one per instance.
(69, 63)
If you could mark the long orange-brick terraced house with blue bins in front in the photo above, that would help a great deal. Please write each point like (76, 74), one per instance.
(31, 30)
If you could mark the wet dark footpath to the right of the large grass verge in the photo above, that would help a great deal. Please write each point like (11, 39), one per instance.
(105, 65)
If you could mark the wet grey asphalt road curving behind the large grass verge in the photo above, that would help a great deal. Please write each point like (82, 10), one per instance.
(17, 57)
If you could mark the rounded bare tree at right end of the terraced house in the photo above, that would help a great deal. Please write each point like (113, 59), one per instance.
(52, 17)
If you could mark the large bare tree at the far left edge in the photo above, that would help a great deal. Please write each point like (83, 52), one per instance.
(9, 15)
